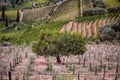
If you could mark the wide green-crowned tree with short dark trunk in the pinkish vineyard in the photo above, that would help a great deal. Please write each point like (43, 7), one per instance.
(59, 44)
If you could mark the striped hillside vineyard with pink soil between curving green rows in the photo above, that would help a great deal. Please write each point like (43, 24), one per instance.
(88, 26)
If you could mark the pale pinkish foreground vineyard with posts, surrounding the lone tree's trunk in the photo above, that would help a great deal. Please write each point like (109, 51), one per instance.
(100, 62)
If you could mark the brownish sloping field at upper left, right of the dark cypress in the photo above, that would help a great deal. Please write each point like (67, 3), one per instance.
(38, 13)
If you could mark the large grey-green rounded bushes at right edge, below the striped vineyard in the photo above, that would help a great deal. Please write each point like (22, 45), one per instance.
(109, 31)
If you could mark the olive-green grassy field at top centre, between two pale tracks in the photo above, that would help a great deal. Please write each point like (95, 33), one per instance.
(67, 11)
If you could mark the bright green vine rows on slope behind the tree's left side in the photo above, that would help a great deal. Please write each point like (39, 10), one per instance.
(32, 34)
